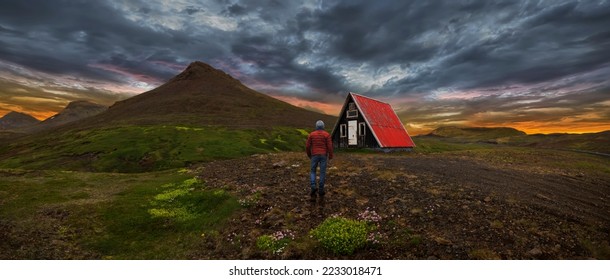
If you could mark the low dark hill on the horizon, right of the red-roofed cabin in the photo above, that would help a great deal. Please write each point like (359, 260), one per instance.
(476, 133)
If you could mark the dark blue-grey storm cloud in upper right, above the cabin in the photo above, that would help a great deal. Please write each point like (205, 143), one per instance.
(469, 44)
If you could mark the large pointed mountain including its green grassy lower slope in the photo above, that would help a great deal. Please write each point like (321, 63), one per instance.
(200, 115)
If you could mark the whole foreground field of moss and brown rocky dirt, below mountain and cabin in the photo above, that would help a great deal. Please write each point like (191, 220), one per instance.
(445, 200)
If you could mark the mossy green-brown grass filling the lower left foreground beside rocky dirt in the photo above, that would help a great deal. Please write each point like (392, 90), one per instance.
(75, 215)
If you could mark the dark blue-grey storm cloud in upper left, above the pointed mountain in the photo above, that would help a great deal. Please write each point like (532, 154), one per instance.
(66, 38)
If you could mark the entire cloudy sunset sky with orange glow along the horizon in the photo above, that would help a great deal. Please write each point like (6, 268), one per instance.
(538, 66)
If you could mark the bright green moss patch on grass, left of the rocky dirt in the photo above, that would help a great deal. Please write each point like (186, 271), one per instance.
(163, 222)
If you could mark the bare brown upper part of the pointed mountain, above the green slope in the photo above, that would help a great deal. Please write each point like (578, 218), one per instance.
(202, 95)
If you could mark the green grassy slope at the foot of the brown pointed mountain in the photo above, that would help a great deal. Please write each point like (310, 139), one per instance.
(122, 149)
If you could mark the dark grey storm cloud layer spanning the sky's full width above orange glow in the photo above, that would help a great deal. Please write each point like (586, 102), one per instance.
(459, 44)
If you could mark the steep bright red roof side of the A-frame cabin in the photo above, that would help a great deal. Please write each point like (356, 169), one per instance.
(383, 121)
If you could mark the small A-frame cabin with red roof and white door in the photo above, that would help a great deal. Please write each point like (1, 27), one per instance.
(368, 123)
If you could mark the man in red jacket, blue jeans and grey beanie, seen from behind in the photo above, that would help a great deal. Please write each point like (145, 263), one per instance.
(319, 147)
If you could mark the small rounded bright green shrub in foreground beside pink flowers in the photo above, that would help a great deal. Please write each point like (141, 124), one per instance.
(342, 236)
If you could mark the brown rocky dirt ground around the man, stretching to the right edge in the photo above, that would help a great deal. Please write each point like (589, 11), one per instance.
(443, 206)
